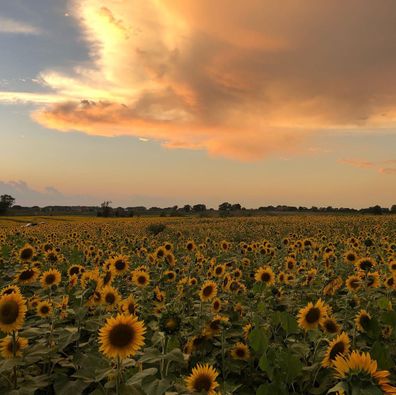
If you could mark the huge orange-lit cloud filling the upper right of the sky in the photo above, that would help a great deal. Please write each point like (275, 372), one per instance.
(238, 79)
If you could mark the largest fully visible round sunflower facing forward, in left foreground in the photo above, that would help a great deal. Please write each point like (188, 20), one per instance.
(121, 336)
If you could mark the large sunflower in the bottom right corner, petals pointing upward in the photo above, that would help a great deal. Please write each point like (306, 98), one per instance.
(360, 368)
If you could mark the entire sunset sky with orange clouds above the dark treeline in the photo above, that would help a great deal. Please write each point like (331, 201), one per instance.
(163, 102)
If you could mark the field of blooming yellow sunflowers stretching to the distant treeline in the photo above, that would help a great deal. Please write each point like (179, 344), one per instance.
(265, 305)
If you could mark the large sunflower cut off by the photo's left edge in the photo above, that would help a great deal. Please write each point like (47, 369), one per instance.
(12, 312)
